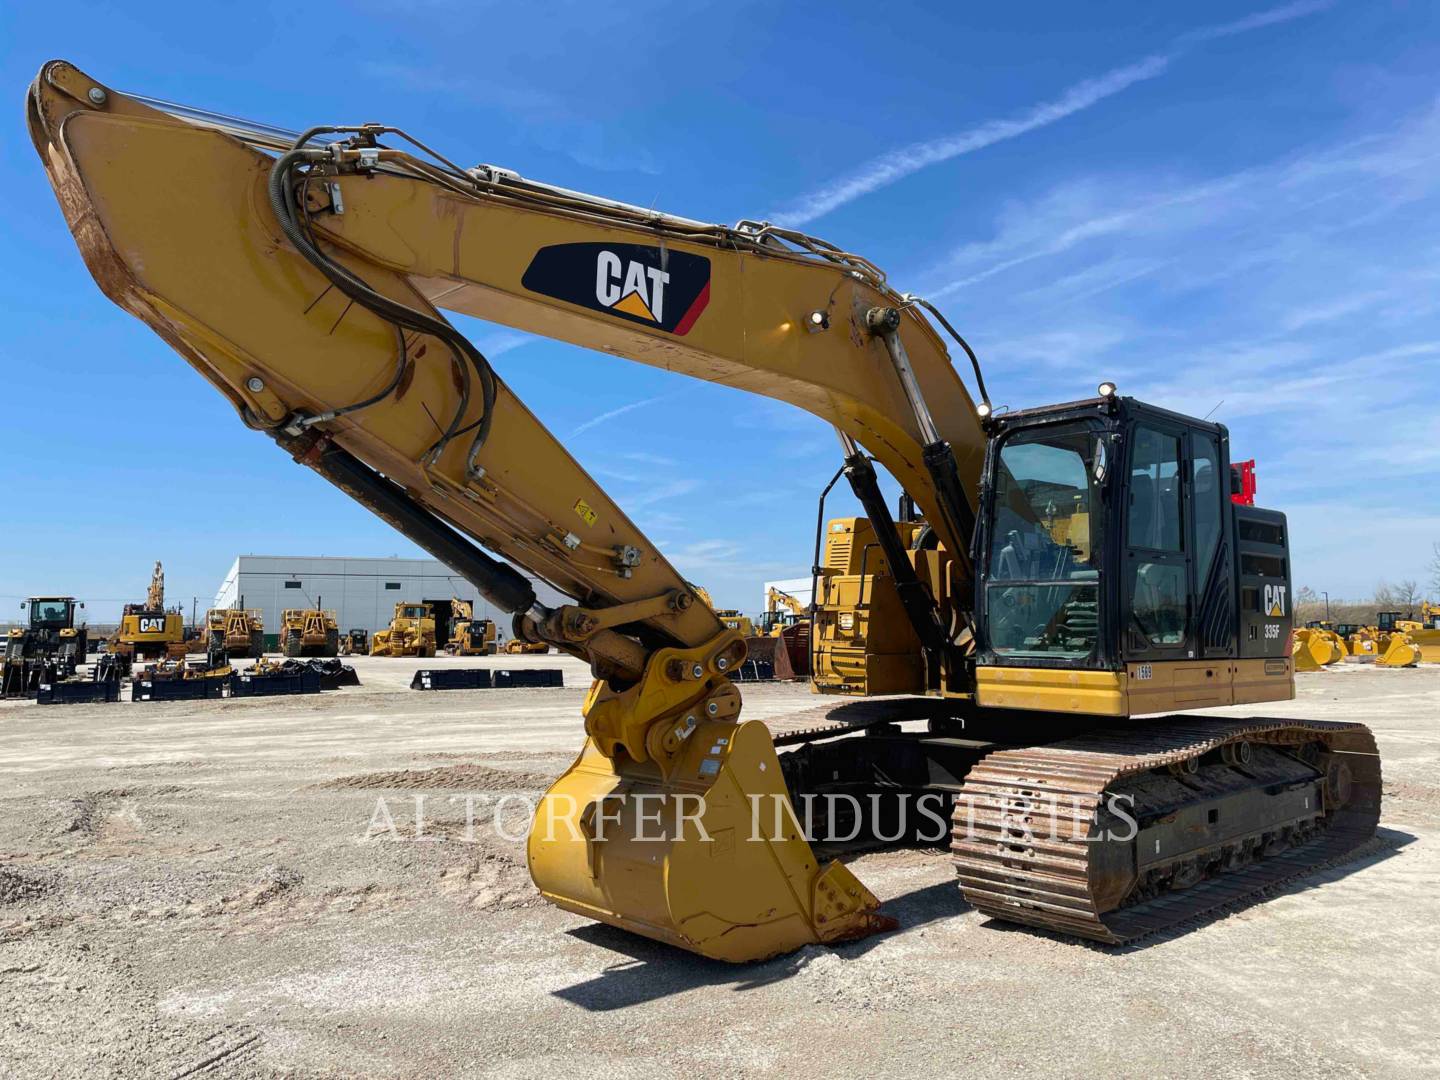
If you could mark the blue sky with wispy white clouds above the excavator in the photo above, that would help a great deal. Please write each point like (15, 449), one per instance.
(1220, 207)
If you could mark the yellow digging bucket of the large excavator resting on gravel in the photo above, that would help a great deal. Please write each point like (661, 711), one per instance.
(708, 858)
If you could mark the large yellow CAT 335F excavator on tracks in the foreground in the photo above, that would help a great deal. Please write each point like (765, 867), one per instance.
(1079, 574)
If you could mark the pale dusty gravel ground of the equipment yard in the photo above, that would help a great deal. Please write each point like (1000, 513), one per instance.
(211, 889)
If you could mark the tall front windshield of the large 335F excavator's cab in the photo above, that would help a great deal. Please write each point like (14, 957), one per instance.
(1045, 559)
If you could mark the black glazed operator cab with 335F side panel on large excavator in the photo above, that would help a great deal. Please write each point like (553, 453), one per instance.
(1110, 542)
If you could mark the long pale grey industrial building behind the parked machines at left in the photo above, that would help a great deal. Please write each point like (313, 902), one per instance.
(362, 593)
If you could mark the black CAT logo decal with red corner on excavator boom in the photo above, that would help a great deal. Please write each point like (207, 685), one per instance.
(654, 287)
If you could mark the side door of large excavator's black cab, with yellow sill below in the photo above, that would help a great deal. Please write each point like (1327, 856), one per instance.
(1164, 539)
